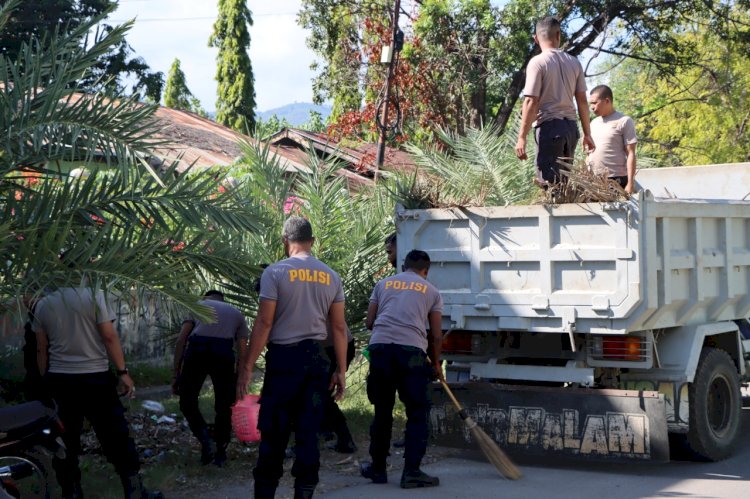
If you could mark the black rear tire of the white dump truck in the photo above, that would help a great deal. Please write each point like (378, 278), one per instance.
(715, 407)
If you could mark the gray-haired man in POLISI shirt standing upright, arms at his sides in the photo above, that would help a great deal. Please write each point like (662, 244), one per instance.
(298, 297)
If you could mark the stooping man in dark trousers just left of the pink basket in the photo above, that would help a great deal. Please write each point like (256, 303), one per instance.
(210, 353)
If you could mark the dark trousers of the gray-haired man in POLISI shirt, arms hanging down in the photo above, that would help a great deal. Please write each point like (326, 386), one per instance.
(294, 391)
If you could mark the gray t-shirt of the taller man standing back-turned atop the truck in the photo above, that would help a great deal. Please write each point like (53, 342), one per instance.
(555, 77)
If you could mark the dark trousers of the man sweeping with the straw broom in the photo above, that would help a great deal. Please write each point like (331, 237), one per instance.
(406, 370)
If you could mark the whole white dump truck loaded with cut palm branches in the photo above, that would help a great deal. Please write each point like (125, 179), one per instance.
(603, 330)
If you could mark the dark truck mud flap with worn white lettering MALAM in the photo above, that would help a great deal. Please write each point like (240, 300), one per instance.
(567, 422)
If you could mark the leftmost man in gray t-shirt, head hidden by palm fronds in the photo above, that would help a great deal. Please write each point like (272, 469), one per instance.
(76, 339)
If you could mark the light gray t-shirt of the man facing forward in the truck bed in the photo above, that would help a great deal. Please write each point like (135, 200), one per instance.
(612, 134)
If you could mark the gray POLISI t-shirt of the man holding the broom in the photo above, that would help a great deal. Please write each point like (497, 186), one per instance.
(404, 304)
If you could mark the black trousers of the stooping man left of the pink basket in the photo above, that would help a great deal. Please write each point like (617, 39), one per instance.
(213, 357)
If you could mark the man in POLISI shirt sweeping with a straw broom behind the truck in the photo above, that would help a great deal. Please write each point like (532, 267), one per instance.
(400, 306)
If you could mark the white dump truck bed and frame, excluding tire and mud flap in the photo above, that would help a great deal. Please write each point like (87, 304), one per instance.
(673, 274)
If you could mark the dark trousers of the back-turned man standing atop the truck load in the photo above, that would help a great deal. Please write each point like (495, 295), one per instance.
(554, 139)
